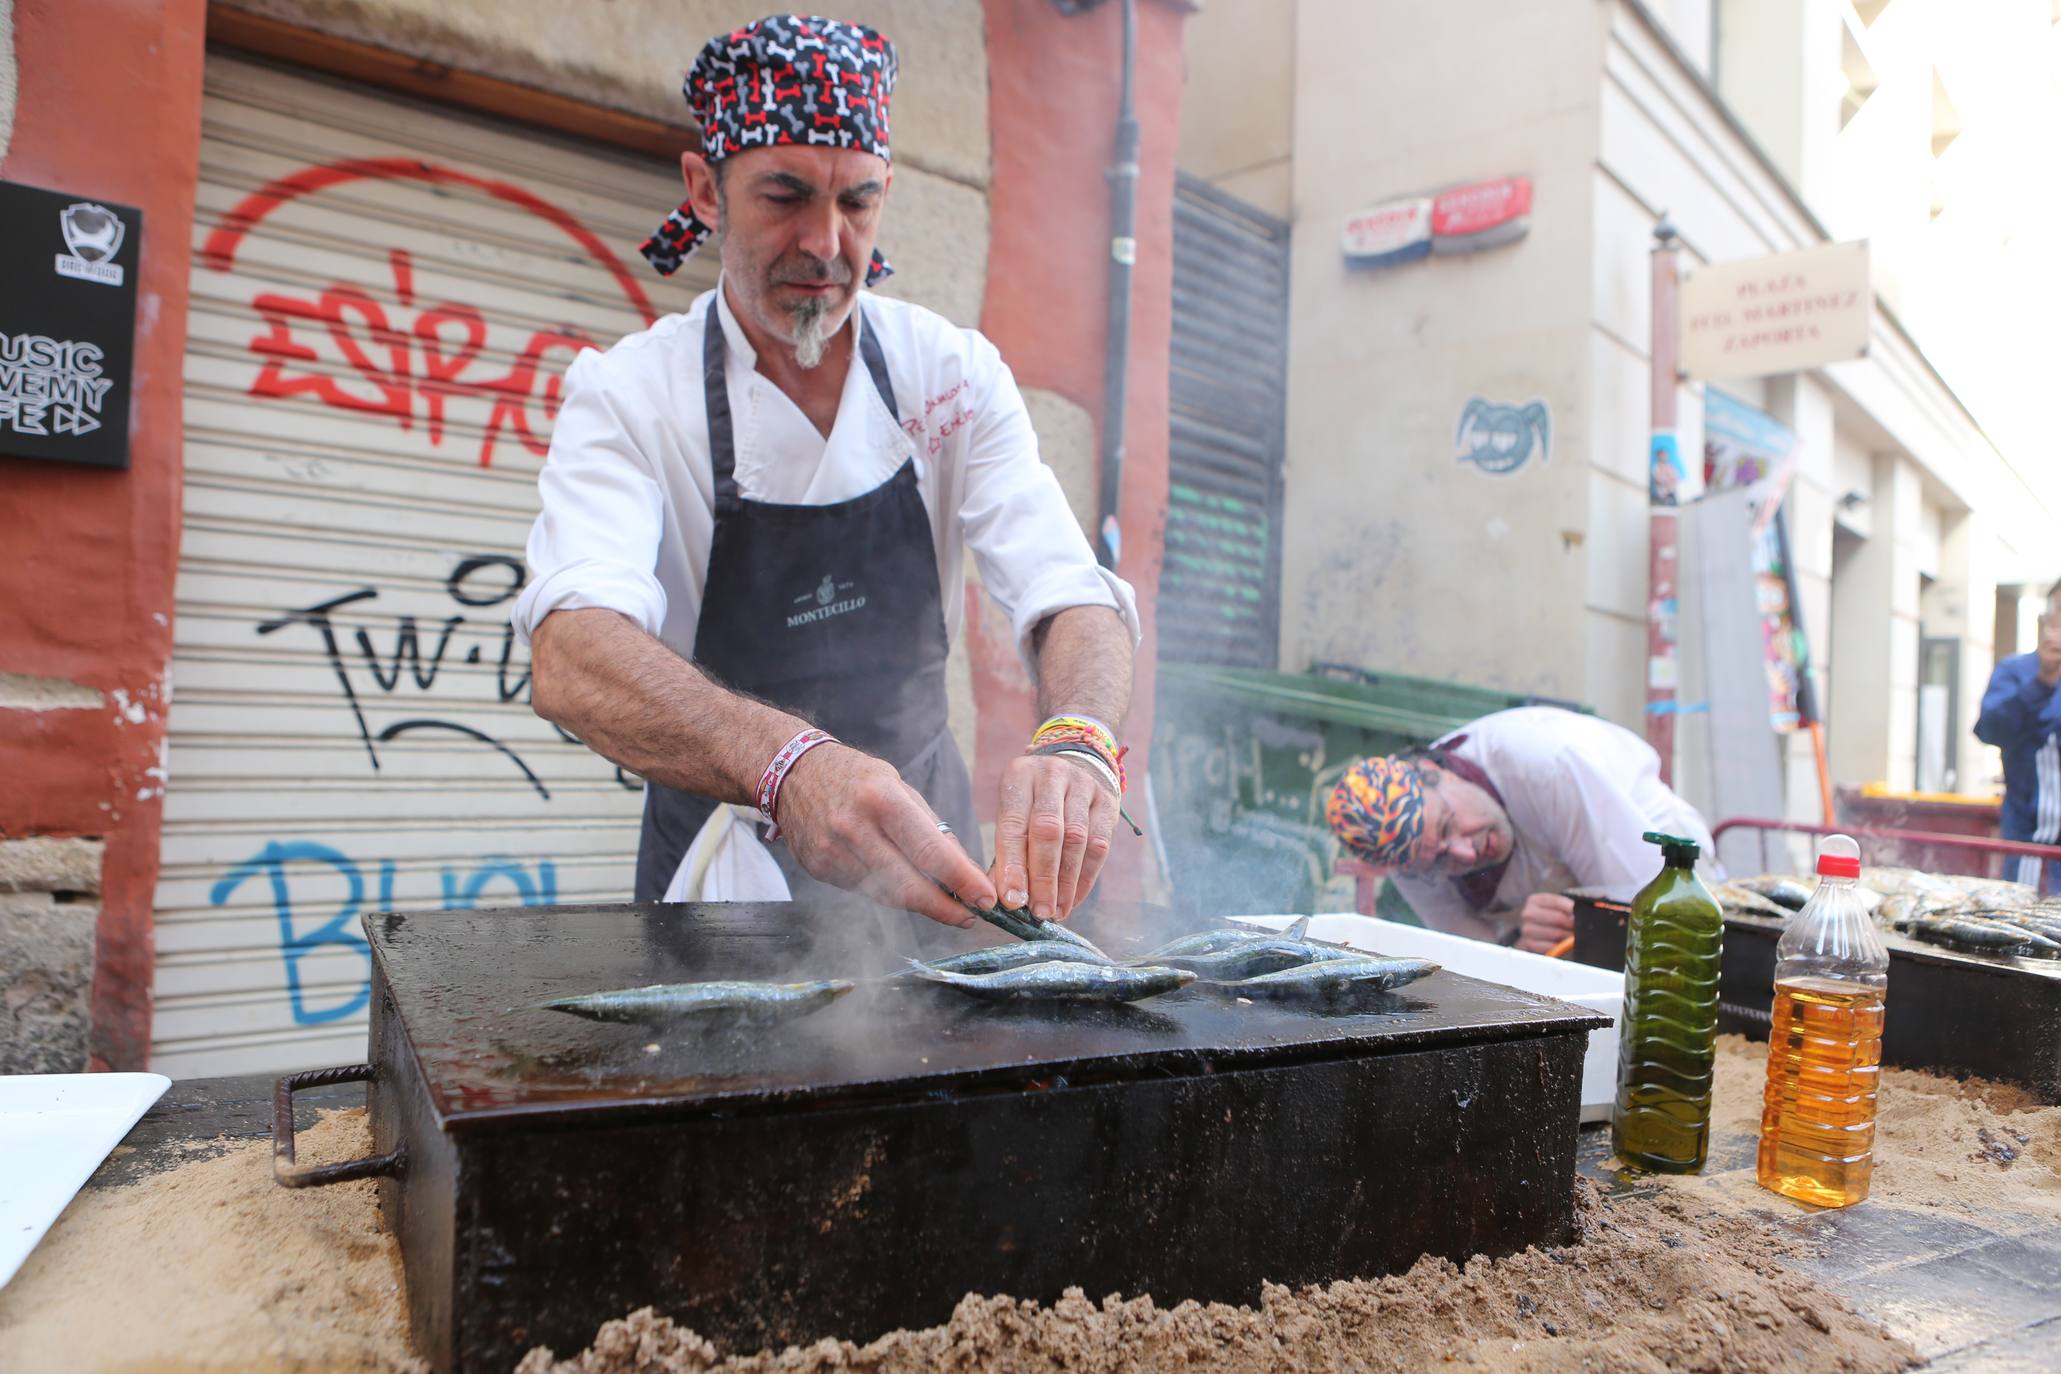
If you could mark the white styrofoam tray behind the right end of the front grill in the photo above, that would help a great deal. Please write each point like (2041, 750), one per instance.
(1598, 990)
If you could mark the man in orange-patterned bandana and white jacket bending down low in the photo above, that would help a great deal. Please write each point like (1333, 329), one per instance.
(1489, 827)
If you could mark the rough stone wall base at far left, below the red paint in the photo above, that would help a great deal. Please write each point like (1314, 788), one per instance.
(48, 916)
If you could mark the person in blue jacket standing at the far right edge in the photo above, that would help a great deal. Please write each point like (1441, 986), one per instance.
(2023, 718)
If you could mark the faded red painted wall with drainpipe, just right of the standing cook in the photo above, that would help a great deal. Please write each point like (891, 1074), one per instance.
(1052, 106)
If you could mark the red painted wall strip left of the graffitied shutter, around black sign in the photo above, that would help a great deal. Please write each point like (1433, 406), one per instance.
(108, 108)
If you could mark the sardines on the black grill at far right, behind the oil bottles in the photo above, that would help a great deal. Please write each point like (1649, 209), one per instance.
(1975, 916)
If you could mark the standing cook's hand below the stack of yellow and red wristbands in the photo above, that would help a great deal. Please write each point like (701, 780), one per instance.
(1052, 833)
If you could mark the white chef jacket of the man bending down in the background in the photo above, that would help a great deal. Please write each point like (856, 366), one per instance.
(1580, 794)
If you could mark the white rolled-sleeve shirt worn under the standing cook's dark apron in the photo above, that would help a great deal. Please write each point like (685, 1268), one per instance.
(630, 500)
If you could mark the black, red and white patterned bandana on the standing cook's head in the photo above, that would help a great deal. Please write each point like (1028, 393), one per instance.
(788, 79)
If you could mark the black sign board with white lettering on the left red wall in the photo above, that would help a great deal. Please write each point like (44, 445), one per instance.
(67, 324)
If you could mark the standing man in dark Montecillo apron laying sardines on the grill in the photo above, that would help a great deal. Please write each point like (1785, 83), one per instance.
(751, 553)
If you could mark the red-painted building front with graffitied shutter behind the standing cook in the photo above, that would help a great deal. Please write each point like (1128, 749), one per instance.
(261, 683)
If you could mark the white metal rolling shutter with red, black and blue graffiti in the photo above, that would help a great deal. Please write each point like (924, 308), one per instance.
(384, 300)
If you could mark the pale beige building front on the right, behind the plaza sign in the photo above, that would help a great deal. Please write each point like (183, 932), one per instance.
(1916, 522)
